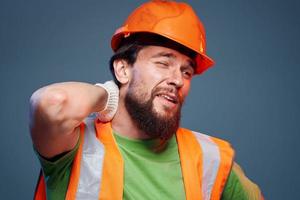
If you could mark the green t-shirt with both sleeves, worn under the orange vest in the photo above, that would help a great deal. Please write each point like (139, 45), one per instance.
(148, 175)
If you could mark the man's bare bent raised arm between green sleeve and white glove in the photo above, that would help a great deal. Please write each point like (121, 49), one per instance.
(56, 112)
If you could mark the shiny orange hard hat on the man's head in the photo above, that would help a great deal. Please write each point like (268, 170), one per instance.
(175, 21)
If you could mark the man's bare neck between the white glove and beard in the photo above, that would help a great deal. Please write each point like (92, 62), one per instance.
(125, 126)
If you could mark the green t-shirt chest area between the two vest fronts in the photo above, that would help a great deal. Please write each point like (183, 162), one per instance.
(148, 174)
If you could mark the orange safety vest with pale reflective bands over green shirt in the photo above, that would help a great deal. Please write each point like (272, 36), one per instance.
(97, 170)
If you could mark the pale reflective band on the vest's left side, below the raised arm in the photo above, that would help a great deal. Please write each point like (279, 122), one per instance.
(91, 164)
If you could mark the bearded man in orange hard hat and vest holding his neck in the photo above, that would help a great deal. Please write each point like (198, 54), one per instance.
(134, 148)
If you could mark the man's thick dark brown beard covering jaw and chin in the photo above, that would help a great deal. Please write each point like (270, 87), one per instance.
(148, 121)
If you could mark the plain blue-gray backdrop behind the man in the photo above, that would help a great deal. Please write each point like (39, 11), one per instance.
(251, 96)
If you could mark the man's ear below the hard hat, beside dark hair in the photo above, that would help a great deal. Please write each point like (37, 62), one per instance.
(122, 70)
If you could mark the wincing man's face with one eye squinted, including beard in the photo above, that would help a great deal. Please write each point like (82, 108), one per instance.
(159, 83)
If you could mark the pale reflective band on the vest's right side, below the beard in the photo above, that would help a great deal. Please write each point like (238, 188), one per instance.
(211, 162)
